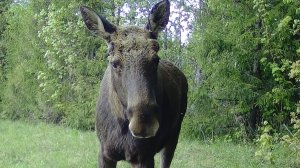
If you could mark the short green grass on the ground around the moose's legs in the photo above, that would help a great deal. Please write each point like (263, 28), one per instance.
(49, 146)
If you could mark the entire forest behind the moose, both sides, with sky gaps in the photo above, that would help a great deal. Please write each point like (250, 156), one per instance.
(241, 58)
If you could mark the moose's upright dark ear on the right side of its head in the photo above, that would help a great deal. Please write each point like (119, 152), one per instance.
(158, 17)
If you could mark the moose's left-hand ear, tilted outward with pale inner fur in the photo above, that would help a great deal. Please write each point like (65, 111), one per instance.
(97, 24)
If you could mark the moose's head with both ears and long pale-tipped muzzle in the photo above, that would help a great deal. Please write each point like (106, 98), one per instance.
(133, 66)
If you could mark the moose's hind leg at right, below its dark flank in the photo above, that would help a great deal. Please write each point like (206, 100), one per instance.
(167, 153)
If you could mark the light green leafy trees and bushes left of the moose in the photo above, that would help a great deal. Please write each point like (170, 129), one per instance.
(54, 65)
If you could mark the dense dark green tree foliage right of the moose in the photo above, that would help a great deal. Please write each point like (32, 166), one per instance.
(248, 55)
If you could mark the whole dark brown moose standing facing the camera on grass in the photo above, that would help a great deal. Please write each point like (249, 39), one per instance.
(143, 99)
